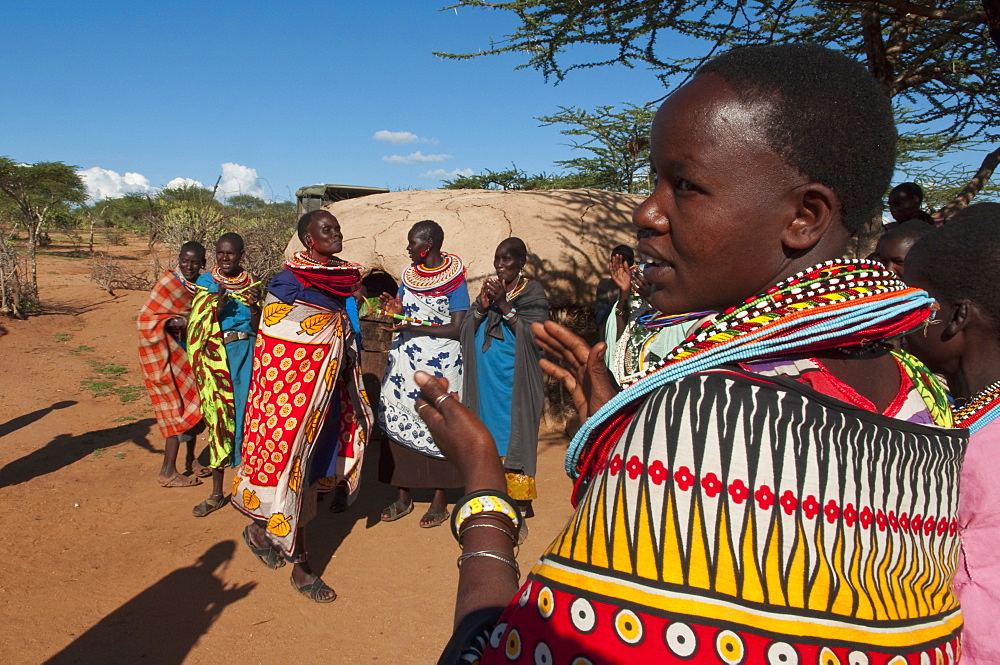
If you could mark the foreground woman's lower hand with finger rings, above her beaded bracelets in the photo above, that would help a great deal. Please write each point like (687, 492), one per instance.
(461, 436)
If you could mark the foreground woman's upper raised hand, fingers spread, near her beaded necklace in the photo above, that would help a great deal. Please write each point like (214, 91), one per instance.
(586, 376)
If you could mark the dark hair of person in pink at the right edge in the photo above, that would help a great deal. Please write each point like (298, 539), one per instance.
(962, 259)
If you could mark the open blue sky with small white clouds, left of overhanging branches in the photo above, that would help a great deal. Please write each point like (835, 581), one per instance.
(276, 96)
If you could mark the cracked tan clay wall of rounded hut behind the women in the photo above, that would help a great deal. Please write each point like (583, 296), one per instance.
(569, 233)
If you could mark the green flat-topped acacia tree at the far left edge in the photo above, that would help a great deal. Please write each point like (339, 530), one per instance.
(38, 191)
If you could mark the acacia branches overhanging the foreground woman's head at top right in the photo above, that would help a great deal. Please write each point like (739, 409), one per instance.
(936, 62)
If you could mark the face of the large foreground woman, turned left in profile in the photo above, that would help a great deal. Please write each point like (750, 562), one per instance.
(711, 226)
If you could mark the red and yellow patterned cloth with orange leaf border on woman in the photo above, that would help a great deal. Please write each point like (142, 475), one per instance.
(306, 396)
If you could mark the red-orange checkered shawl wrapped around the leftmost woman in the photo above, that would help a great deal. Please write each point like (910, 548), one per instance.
(168, 376)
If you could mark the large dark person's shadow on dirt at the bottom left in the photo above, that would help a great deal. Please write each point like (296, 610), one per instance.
(163, 623)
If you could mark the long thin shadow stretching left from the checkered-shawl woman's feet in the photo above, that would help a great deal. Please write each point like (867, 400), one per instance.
(66, 449)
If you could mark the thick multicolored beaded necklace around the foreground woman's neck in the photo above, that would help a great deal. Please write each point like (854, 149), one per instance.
(838, 303)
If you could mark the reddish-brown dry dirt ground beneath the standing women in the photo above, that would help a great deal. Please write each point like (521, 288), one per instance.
(102, 565)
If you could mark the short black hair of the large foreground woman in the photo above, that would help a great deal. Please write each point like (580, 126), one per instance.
(829, 118)
